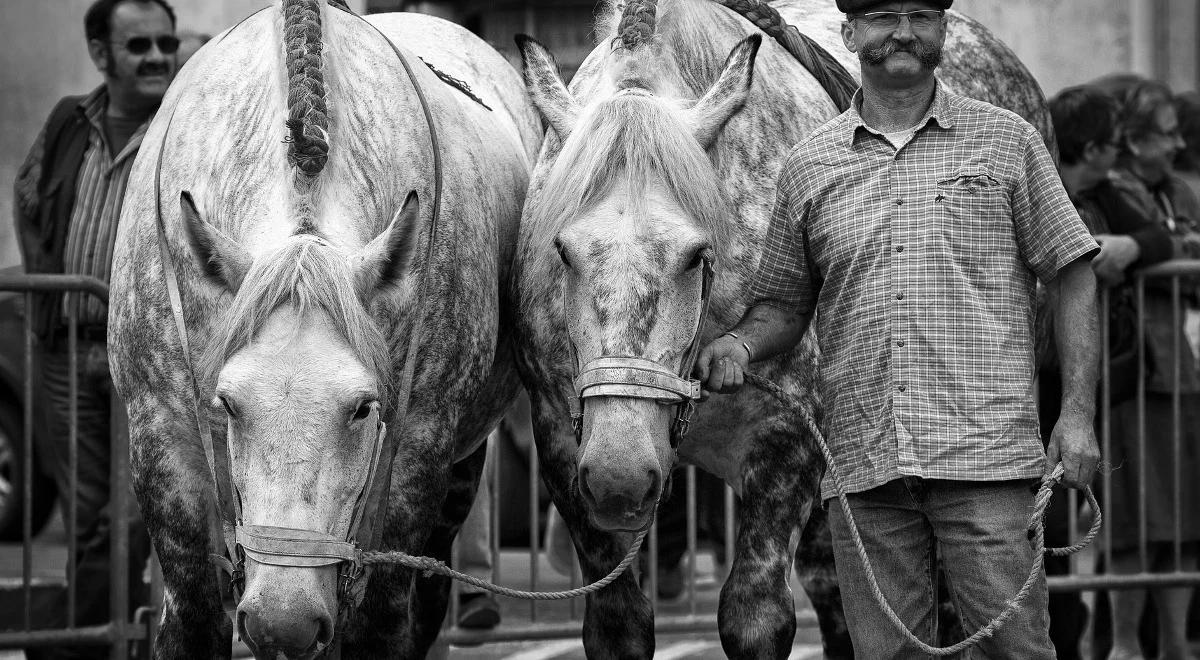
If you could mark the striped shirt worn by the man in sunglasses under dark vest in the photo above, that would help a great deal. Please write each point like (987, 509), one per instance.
(92, 235)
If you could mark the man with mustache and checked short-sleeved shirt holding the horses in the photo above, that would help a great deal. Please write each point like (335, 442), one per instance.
(916, 226)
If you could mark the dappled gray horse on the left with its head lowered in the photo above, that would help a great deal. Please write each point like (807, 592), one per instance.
(334, 269)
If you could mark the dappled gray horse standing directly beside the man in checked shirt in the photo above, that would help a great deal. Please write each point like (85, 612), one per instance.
(658, 171)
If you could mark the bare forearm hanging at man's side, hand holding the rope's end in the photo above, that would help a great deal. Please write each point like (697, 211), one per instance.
(1077, 335)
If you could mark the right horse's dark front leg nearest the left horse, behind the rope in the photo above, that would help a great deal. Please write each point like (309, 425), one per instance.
(619, 622)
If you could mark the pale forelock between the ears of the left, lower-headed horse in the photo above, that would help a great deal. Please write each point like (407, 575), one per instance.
(311, 275)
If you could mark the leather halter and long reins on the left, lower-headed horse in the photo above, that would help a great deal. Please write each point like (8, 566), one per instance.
(233, 542)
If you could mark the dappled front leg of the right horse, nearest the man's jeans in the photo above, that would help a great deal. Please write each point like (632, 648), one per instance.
(757, 616)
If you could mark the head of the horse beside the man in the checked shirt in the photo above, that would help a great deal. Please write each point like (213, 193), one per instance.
(634, 209)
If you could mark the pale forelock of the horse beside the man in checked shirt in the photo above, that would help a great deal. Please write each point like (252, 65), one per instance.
(631, 140)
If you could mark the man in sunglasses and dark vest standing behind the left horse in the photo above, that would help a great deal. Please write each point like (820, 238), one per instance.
(69, 202)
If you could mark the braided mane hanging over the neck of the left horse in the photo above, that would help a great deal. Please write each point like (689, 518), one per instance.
(308, 112)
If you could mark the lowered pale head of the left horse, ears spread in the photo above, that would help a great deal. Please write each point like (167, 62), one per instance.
(303, 376)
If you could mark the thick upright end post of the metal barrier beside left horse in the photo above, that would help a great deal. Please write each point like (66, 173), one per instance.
(119, 500)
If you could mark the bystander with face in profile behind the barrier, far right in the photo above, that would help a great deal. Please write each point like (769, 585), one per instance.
(1145, 179)
